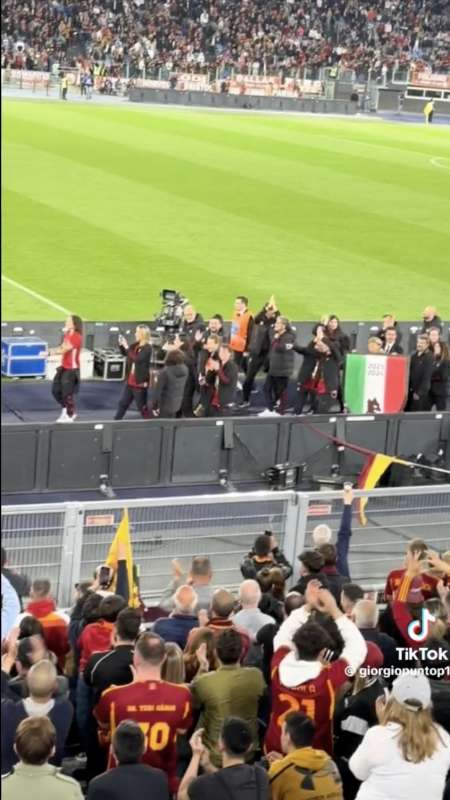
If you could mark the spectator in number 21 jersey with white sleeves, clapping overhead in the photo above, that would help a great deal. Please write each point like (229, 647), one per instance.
(303, 680)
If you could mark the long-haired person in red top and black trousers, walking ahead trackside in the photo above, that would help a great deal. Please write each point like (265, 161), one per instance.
(67, 377)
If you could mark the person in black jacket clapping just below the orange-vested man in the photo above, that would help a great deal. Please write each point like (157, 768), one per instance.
(221, 381)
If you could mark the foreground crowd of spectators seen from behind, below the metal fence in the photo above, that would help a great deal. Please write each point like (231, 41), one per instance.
(302, 685)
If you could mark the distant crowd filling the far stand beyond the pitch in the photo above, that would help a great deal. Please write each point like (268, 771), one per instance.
(246, 36)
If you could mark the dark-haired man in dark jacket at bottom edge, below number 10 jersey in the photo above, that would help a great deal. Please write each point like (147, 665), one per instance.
(130, 779)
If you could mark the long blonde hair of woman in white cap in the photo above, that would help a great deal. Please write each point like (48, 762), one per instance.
(419, 737)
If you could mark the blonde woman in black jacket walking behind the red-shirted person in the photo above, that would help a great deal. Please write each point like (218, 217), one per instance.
(137, 372)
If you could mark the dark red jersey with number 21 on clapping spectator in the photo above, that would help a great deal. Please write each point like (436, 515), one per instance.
(314, 697)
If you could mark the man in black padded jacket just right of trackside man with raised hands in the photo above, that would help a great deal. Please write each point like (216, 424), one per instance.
(281, 364)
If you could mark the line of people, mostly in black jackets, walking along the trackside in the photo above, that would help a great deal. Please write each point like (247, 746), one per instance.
(208, 374)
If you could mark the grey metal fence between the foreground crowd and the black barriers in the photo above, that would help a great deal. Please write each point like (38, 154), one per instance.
(65, 542)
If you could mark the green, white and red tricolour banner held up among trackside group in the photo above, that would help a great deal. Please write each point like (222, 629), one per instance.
(376, 383)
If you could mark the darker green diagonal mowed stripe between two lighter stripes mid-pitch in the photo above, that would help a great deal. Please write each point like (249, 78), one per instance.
(324, 220)
